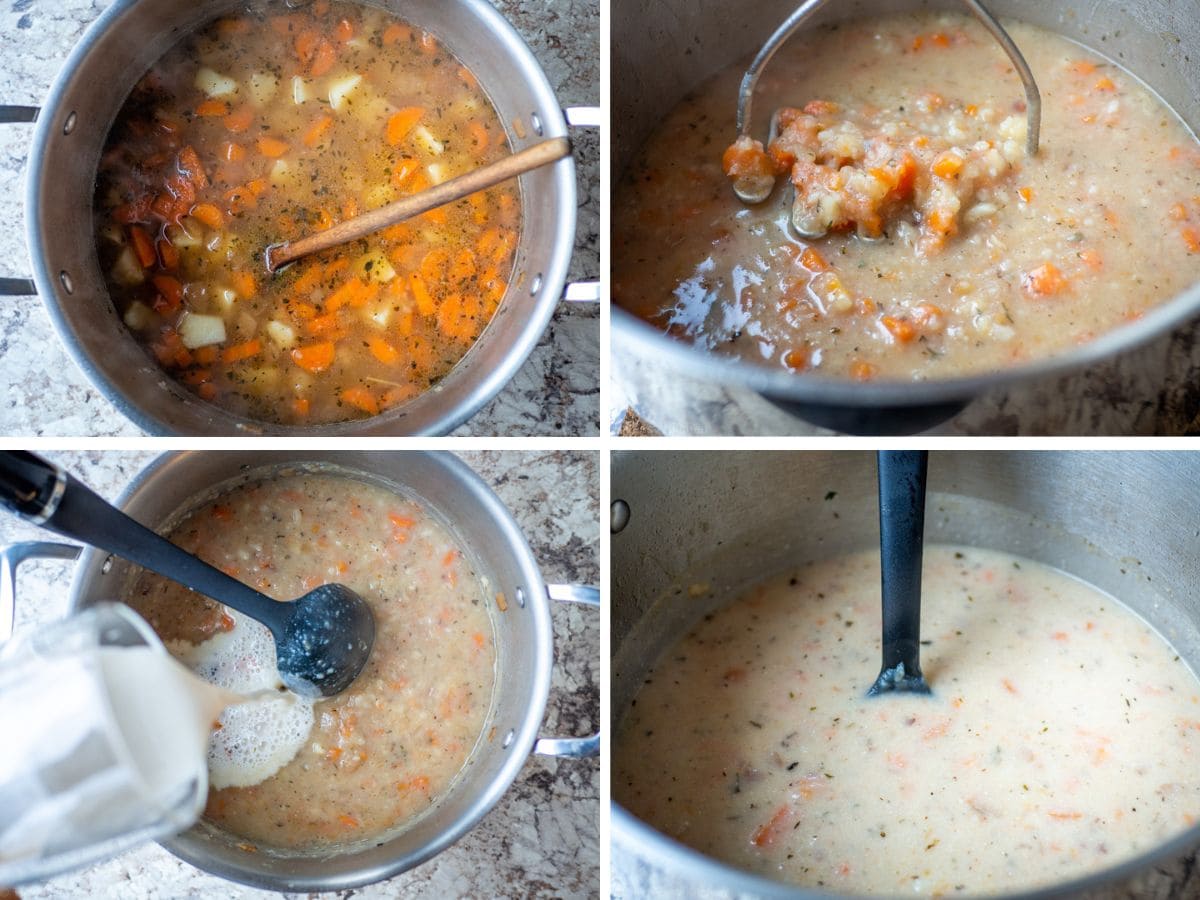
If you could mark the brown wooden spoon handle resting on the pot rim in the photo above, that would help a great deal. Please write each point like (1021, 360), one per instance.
(532, 158)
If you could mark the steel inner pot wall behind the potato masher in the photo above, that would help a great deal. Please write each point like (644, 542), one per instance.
(1157, 43)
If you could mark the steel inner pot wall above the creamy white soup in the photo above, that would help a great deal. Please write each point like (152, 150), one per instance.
(1126, 523)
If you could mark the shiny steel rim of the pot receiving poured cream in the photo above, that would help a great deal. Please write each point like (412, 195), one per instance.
(165, 466)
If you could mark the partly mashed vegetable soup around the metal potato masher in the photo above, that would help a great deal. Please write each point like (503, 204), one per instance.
(926, 244)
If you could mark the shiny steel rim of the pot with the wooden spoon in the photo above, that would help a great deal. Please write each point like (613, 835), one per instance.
(487, 383)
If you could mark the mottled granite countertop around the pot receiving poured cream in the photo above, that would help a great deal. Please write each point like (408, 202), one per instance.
(543, 839)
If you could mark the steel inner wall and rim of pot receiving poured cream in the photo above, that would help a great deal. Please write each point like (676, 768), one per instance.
(175, 487)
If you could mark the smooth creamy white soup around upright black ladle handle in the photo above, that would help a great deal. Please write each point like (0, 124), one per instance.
(1061, 737)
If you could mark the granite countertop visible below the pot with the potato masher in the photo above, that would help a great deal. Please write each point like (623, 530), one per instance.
(1151, 391)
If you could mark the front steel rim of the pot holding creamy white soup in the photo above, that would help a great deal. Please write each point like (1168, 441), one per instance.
(639, 839)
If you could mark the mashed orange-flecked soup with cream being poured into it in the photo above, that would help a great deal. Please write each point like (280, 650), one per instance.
(375, 758)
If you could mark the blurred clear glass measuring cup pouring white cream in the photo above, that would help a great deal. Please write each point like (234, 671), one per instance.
(105, 743)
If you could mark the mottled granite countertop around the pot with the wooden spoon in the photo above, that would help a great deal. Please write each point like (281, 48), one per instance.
(44, 393)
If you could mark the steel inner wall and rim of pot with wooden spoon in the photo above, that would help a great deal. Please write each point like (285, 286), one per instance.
(98, 79)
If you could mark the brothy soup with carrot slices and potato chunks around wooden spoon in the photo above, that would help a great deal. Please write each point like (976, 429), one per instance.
(271, 125)
